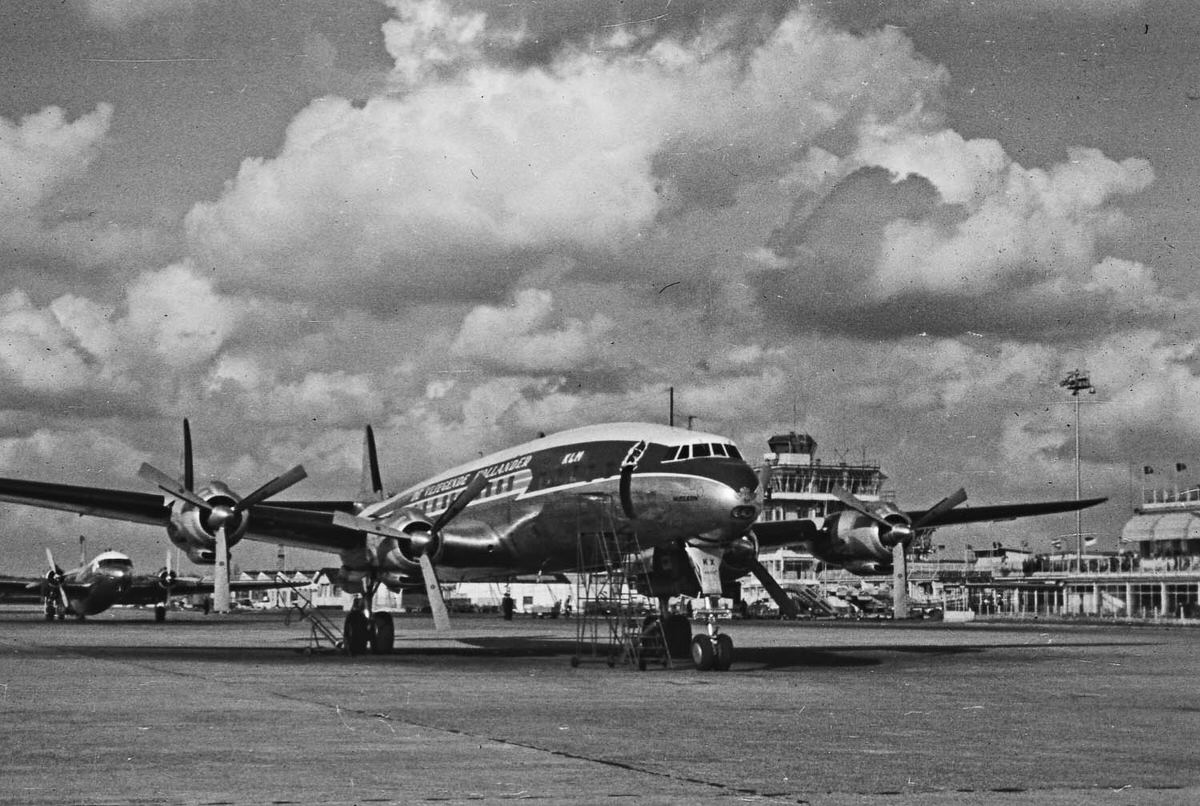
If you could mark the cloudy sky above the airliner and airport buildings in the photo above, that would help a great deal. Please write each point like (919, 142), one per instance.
(893, 226)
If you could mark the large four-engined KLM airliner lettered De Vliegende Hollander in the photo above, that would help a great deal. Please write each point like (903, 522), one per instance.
(689, 497)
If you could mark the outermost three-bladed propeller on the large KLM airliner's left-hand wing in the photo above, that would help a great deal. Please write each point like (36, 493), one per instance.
(219, 518)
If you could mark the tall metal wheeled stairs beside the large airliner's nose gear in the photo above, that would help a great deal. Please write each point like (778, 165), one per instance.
(613, 625)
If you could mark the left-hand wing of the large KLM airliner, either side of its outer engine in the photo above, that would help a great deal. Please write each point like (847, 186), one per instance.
(304, 525)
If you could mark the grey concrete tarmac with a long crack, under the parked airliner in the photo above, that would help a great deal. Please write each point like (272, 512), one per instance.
(232, 711)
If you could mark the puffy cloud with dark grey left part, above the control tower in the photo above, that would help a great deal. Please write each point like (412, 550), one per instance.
(961, 230)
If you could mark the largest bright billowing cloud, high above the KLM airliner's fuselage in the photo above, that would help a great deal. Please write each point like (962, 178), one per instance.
(479, 172)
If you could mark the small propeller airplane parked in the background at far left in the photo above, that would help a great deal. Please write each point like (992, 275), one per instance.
(105, 581)
